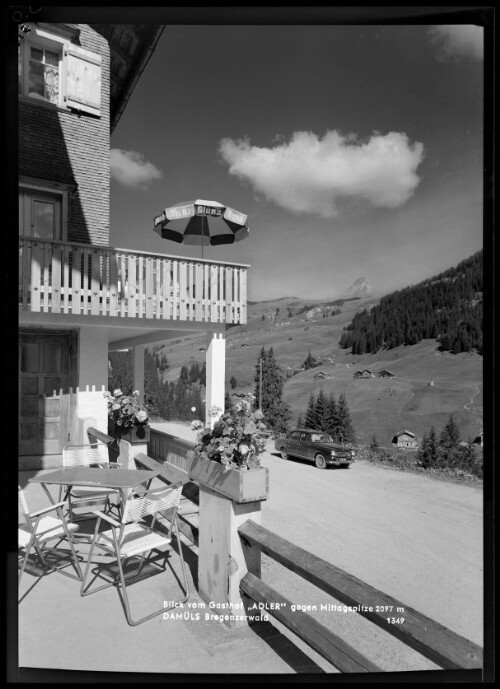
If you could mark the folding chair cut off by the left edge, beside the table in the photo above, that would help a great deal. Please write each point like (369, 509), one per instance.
(36, 529)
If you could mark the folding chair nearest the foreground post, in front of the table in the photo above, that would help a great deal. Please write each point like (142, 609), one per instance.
(128, 538)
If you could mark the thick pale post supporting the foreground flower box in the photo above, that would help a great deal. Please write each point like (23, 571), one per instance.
(223, 560)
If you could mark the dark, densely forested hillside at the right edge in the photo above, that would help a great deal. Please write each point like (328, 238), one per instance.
(448, 307)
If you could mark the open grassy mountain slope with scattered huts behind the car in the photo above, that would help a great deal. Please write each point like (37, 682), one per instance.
(378, 406)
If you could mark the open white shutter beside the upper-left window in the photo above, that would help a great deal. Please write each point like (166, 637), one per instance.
(83, 79)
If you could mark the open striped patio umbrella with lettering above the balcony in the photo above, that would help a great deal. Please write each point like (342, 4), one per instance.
(201, 222)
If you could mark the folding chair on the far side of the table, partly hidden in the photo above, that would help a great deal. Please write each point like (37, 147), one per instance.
(87, 455)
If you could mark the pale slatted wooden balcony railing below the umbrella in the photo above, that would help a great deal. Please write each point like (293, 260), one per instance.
(85, 279)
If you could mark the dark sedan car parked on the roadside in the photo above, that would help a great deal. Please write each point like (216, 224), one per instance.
(316, 446)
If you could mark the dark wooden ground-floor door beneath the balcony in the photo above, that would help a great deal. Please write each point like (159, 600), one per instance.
(44, 393)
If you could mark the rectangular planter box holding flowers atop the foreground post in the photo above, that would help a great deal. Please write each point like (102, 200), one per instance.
(240, 486)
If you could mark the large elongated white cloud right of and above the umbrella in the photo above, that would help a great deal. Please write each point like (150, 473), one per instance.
(309, 175)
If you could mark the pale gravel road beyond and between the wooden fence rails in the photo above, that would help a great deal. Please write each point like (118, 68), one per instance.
(410, 536)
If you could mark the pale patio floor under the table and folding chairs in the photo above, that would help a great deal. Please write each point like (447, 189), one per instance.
(59, 629)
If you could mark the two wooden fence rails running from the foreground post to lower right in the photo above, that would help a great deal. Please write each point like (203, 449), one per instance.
(434, 641)
